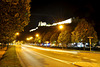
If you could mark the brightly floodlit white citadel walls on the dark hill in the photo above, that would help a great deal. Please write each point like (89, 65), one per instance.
(68, 21)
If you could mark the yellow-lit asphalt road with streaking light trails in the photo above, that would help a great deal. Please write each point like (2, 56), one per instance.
(32, 56)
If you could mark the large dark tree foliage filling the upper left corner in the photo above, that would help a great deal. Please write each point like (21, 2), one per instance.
(14, 16)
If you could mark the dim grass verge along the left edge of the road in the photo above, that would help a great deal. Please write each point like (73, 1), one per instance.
(10, 58)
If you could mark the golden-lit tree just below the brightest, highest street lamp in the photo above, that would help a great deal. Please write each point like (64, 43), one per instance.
(65, 35)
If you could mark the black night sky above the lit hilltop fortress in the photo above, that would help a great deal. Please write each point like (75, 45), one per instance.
(55, 11)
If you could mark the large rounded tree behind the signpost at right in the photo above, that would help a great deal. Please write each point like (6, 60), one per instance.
(82, 31)
